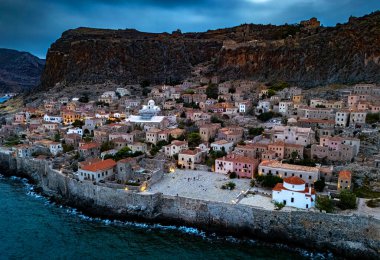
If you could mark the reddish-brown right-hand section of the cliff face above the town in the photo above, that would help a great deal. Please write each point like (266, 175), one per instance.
(344, 54)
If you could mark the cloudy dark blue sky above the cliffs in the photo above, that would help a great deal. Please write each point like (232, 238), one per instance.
(32, 25)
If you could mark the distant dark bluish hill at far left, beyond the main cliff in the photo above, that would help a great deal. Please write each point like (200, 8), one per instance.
(19, 71)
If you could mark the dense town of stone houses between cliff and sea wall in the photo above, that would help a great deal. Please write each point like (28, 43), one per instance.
(270, 145)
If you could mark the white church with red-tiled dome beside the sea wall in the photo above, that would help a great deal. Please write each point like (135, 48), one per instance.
(293, 193)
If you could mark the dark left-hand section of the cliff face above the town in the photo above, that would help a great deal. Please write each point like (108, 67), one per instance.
(95, 56)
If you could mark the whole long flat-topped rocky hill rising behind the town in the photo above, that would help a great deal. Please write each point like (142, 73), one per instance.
(306, 54)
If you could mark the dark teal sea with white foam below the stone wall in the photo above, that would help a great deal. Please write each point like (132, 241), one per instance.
(32, 227)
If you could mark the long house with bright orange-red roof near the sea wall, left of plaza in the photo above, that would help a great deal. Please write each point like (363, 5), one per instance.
(97, 171)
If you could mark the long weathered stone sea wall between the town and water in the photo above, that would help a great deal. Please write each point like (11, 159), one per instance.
(349, 236)
